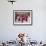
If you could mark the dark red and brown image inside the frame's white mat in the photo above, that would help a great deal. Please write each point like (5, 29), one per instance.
(22, 16)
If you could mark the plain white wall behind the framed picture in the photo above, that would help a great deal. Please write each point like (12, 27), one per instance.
(37, 31)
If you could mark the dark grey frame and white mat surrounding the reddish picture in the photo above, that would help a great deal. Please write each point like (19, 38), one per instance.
(31, 16)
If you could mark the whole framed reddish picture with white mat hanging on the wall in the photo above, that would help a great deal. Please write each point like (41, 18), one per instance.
(22, 17)
